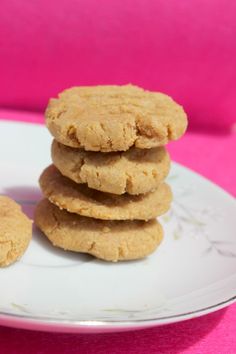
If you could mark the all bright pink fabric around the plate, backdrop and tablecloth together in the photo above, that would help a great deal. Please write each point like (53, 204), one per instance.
(184, 48)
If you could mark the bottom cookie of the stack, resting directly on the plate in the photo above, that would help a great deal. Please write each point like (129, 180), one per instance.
(107, 240)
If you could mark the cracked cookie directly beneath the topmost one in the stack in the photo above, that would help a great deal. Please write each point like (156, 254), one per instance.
(135, 171)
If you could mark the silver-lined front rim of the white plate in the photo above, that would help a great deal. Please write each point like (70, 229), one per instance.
(63, 325)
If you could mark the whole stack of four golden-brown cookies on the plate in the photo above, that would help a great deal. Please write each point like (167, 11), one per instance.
(106, 185)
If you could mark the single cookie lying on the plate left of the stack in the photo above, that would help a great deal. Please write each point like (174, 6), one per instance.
(15, 231)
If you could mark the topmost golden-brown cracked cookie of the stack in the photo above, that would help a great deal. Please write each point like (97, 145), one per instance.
(114, 118)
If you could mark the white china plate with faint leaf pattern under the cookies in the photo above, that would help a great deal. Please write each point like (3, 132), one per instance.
(192, 273)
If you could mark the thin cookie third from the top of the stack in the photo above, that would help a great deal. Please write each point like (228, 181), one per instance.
(80, 199)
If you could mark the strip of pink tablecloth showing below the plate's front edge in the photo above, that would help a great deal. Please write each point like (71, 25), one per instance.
(212, 334)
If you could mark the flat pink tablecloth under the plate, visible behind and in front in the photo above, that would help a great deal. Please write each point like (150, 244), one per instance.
(212, 156)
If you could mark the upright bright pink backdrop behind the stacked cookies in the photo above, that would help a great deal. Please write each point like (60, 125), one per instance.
(184, 48)
